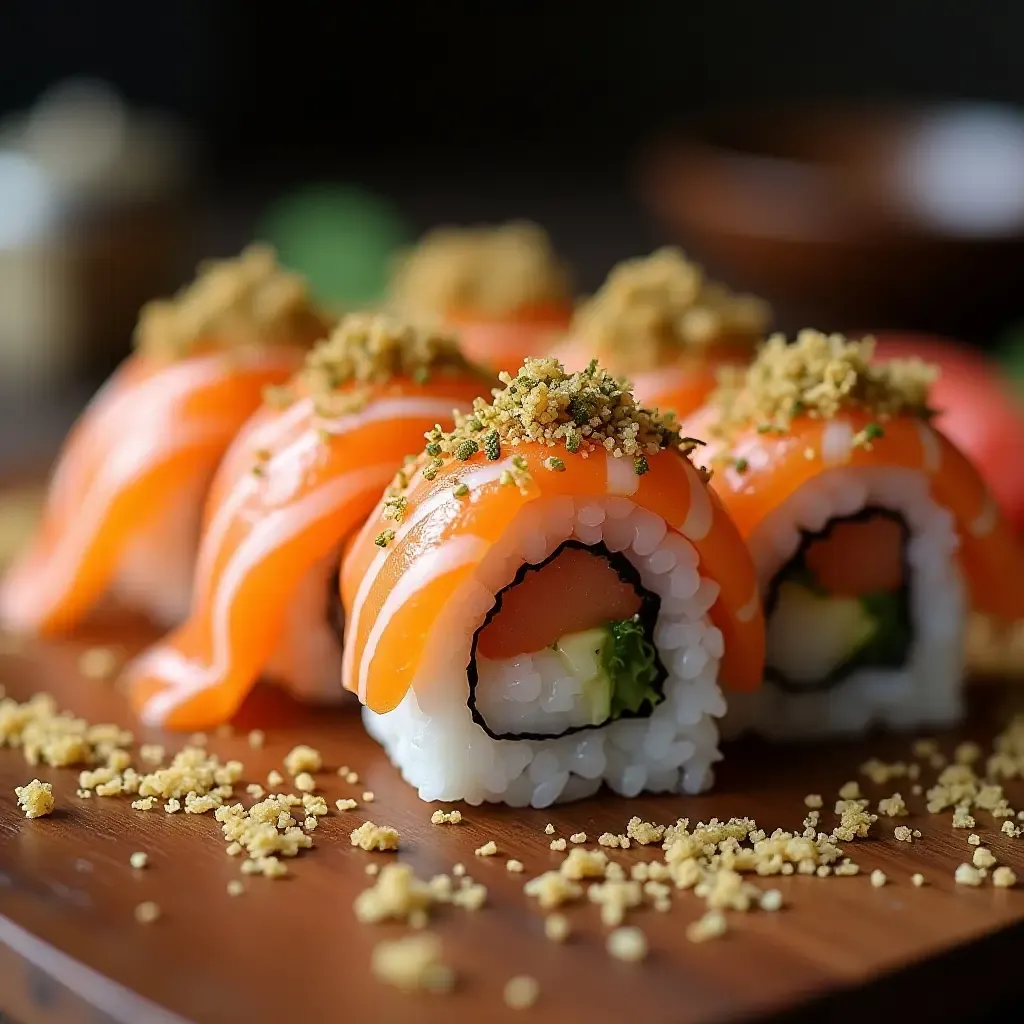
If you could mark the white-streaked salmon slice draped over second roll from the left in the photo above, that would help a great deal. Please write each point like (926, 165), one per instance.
(292, 489)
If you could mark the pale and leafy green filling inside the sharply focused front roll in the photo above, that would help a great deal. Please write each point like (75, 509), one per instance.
(618, 667)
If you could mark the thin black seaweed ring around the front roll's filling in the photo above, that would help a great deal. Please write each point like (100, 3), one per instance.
(651, 606)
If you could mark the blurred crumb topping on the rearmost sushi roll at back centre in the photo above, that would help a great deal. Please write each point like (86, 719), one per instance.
(489, 271)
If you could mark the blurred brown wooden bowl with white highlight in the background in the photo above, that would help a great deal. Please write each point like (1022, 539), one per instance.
(912, 218)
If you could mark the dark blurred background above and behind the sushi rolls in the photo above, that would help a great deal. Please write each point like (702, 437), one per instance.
(862, 169)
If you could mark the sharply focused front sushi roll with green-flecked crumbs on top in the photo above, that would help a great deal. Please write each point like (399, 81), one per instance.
(560, 604)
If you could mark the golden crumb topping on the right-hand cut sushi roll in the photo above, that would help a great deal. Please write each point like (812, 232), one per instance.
(820, 375)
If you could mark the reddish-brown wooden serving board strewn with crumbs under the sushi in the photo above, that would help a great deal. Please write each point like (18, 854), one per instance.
(291, 951)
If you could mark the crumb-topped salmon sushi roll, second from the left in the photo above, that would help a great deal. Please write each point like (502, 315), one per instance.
(300, 481)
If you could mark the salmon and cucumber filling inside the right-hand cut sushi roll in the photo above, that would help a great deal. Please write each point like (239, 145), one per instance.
(841, 604)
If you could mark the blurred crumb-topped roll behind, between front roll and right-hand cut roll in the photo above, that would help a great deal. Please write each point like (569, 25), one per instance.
(661, 323)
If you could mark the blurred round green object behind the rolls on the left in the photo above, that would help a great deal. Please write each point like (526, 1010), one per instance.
(342, 237)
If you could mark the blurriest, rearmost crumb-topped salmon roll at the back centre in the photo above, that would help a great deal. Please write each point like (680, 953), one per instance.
(504, 289)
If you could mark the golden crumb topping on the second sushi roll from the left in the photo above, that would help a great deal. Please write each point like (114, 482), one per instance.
(367, 350)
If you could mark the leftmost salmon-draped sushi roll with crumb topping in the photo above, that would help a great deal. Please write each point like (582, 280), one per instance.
(124, 505)
